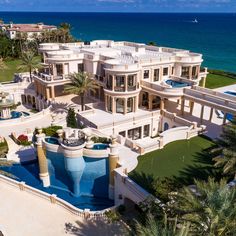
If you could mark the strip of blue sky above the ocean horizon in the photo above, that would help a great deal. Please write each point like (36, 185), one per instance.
(119, 5)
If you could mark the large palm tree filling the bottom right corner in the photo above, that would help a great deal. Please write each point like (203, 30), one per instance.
(211, 210)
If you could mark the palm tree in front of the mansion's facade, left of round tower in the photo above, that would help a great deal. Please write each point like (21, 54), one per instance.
(81, 83)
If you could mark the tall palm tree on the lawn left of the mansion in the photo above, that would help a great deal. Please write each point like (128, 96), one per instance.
(29, 62)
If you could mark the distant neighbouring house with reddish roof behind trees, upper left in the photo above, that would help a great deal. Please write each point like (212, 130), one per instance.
(31, 30)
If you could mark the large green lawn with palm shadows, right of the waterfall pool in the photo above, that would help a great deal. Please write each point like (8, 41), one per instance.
(182, 160)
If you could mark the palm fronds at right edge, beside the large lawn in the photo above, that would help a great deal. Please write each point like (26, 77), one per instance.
(226, 154)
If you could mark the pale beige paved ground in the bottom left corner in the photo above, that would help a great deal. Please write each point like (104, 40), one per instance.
(23, 214)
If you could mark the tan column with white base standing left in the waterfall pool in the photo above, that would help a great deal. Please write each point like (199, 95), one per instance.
(42, 160)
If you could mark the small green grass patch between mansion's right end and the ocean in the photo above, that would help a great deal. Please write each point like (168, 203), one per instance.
(216, 79)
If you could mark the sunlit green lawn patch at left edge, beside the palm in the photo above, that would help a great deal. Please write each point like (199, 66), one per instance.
(8, 74)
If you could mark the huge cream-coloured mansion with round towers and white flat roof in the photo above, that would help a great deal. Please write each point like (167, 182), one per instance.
(135, 80)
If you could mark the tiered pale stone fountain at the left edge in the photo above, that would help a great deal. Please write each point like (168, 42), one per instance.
(5, 106)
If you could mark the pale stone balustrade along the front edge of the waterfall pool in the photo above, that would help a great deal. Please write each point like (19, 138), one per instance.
(54, 199)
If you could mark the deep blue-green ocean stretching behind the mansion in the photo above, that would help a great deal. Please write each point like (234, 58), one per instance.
(214, 35)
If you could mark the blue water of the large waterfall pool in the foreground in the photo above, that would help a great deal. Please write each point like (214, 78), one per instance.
(93, 183)
